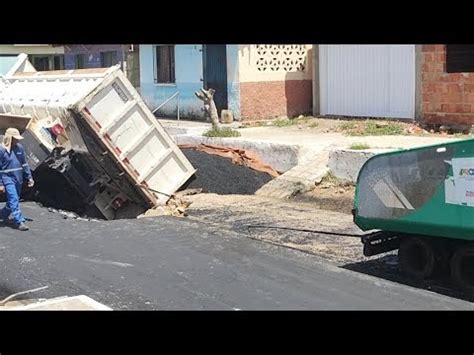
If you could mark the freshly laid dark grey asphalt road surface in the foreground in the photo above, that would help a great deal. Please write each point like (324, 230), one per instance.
(178, 264)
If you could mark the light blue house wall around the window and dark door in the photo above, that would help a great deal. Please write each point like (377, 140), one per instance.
(189, 76)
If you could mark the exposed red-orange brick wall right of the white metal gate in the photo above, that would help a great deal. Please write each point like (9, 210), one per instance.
(447, 98)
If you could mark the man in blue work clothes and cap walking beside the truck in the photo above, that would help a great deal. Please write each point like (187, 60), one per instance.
(13, 170)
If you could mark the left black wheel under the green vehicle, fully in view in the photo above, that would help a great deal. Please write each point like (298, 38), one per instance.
(417, 258)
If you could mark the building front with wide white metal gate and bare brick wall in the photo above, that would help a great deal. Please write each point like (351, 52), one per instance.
(428, 83)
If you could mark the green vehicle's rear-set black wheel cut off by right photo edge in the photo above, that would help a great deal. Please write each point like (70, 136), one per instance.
(462, 268)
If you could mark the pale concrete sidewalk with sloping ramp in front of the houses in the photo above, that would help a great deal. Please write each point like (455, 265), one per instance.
(303, 154)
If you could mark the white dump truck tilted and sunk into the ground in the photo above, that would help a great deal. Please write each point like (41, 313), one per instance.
(92, 127)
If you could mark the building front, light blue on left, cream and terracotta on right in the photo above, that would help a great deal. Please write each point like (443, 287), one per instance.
(253, 81)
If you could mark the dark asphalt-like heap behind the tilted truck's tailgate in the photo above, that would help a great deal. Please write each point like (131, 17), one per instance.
(219, 175)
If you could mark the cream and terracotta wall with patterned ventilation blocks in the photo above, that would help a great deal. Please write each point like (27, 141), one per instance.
(275, 80)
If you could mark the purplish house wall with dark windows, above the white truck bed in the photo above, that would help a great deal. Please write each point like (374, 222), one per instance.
(91, 54)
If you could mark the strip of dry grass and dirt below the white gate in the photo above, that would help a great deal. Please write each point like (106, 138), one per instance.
(371, 128)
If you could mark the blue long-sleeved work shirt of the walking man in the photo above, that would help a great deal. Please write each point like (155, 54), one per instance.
(13, 165)
